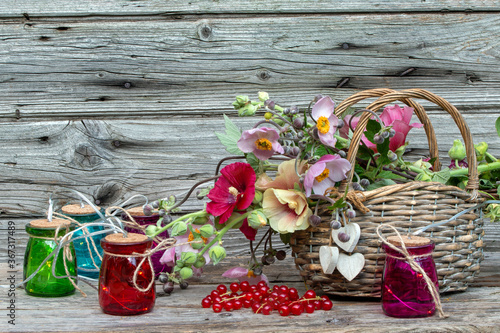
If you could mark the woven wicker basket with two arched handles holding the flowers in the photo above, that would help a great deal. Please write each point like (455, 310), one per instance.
(408, 206)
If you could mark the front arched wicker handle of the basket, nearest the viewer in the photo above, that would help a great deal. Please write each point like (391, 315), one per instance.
(473, 183)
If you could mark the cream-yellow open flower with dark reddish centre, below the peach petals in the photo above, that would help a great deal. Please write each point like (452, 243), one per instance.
(287, 210)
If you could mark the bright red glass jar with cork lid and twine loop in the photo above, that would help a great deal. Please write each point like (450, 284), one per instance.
(117, 293)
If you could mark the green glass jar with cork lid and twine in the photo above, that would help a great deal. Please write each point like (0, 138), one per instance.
(41, 243)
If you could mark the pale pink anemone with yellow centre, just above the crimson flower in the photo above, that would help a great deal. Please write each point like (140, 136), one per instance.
(262, 142)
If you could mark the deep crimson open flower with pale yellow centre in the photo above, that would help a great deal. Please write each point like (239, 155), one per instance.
(235, 188)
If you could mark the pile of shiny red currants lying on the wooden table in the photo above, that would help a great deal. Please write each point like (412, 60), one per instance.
(263, 299)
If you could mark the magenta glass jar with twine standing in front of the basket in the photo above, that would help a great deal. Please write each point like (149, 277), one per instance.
(405, 293)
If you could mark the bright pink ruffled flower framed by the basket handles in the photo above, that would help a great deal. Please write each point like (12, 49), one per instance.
(399, 118)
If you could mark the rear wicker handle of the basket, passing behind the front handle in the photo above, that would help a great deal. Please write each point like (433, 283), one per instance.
(419, 111)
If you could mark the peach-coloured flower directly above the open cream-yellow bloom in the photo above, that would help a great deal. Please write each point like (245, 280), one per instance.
(286, 177)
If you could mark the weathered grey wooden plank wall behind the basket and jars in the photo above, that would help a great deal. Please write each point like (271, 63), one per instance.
(115, 98)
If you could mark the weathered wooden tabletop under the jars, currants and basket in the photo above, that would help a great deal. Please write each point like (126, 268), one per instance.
(476, 310)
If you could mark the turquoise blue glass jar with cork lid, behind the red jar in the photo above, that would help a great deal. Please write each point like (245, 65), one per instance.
(88, 255)
